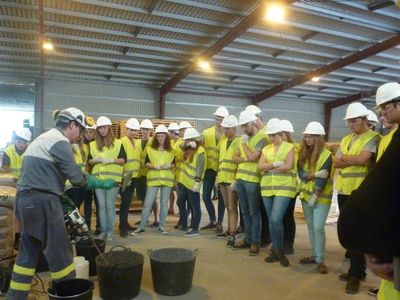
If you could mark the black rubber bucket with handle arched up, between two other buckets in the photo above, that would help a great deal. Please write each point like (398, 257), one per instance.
(120, 276)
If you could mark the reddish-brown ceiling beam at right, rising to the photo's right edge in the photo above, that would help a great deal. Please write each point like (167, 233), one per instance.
(389, 43)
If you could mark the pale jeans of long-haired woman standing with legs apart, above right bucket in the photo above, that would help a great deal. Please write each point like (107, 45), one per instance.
(151, 194)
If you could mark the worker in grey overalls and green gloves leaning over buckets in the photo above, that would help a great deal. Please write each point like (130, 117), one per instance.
(48, 163)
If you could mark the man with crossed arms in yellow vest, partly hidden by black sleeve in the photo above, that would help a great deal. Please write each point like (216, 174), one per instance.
(353, 159)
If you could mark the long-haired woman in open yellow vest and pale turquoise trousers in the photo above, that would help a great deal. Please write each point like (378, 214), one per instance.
(315, 172)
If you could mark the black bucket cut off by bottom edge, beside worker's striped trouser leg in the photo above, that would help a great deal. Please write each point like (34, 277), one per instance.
(77, 289)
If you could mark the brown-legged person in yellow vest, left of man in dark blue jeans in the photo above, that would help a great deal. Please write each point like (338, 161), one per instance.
(226, 176)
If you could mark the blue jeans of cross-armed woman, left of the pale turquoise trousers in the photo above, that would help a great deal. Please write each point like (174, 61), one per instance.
(276, 208)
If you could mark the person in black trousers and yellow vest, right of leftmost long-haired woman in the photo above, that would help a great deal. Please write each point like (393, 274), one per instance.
(131, 172)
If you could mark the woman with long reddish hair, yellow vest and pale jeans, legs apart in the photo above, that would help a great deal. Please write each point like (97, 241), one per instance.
(160, 162)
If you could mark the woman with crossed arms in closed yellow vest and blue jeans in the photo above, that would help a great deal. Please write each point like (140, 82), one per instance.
(278, 186)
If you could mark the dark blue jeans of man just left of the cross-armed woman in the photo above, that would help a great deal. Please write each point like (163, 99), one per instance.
(249, 193)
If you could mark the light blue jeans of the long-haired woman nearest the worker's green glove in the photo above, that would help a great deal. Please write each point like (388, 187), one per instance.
(106, 202)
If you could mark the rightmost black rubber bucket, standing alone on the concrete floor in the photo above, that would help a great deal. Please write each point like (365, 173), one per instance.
(172, 270)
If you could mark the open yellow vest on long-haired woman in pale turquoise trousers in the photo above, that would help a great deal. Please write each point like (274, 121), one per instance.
(307, 186)
